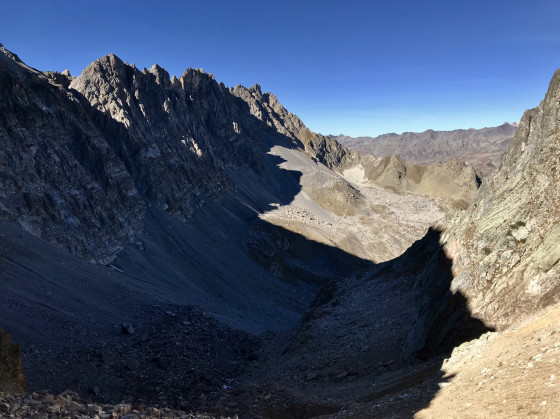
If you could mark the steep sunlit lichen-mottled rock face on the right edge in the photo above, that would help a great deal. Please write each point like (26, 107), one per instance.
(505, 248)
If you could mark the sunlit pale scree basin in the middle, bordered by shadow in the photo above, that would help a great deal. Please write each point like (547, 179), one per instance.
(351, 213)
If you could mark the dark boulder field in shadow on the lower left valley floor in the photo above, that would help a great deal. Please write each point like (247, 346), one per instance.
(177, 358)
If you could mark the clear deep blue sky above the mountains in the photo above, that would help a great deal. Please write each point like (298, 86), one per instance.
(352, 67)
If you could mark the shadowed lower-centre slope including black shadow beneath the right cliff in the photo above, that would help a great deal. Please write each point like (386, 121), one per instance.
(371, 345)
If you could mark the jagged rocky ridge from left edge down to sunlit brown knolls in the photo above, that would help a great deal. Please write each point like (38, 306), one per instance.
(84, 156)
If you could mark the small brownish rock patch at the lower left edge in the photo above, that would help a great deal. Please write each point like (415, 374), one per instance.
(11, 376)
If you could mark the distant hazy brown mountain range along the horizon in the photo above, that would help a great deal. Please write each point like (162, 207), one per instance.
(482, 148)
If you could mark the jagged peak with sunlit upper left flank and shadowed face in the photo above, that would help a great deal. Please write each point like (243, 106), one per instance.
(167, 132)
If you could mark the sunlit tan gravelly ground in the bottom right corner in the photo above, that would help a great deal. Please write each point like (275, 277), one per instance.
(514, 373)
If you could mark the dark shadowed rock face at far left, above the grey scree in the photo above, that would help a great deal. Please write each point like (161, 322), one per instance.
(59, 179)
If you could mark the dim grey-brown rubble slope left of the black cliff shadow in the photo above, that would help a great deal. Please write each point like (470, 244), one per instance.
(347, 355)
